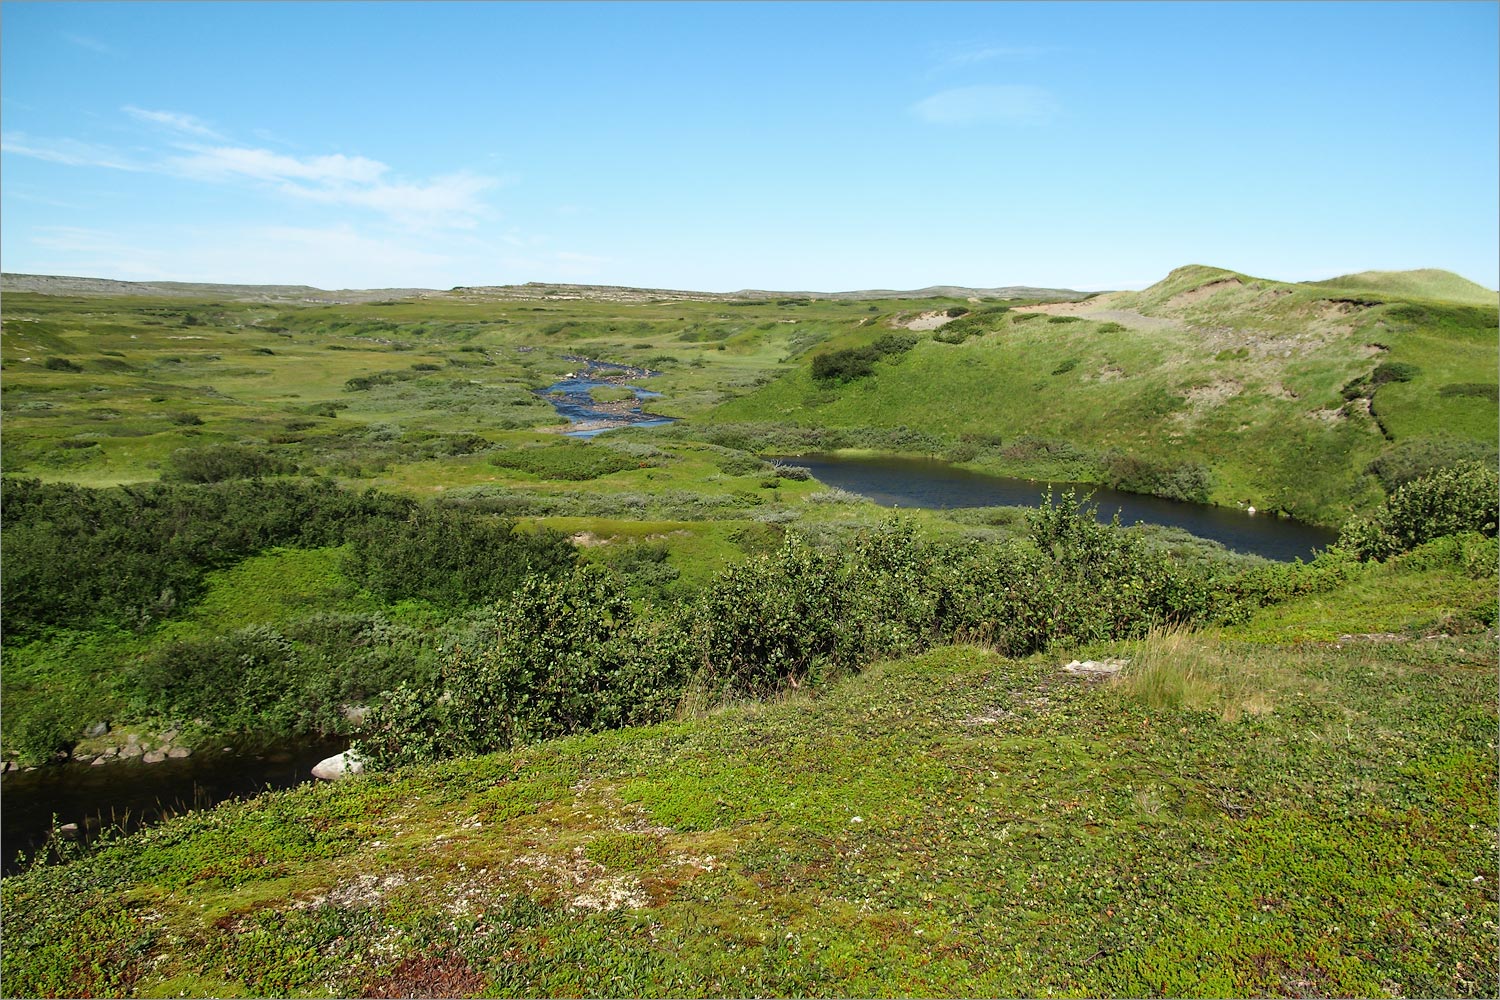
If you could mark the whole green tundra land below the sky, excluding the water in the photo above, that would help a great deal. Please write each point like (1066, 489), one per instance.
(652, 713)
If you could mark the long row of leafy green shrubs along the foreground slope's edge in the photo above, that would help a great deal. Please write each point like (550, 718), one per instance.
(572, 654)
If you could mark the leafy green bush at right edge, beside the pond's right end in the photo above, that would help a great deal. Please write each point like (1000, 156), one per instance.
(1451, 501)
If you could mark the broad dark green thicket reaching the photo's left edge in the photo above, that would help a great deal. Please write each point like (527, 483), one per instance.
(136, 554)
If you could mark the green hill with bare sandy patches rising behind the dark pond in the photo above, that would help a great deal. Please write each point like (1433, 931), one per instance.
(1208, 386)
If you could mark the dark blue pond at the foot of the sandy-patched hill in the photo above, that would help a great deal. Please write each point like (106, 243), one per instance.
(938, 485)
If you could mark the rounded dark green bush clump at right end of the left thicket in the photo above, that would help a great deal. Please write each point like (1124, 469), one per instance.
(451, 557)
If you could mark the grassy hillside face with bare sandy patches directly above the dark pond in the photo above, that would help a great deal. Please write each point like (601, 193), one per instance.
(1240, 374)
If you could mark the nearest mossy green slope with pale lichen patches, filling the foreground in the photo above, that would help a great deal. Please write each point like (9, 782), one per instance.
(1232, 818)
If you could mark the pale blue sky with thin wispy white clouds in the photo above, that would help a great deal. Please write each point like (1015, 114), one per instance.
(718, 148)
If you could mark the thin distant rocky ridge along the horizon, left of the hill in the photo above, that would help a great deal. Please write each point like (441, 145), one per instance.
(74, 286)
